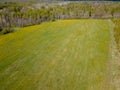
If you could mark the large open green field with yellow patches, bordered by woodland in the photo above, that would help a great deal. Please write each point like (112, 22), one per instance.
(61, 55)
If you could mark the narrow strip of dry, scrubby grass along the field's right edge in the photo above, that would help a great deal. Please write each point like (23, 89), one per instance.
(116, 55)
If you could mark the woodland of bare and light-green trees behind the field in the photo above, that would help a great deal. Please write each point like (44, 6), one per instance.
(25, 14)
